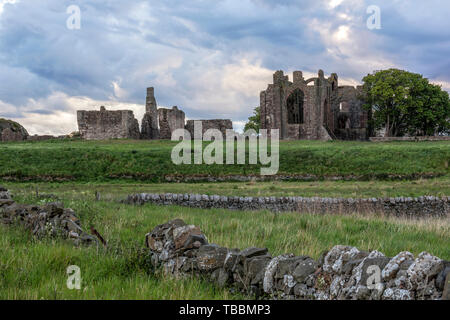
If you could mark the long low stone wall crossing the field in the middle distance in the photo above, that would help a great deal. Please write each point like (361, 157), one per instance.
(426, 206)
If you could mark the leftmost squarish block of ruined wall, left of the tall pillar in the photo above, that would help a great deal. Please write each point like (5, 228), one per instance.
(103, 124)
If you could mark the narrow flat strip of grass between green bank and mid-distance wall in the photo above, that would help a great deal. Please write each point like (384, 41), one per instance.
(347, 189)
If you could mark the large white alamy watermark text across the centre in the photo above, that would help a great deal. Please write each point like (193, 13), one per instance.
(214, 152)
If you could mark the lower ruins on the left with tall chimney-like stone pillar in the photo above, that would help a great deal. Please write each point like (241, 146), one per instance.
(156, 123)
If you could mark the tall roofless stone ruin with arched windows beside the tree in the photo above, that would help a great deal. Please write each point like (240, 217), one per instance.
(313, 109)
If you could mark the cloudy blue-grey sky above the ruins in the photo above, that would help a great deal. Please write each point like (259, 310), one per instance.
(209, 57)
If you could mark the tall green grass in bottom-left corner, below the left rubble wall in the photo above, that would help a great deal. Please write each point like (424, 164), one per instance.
(36, 269)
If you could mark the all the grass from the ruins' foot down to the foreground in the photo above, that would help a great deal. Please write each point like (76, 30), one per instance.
(36, 269)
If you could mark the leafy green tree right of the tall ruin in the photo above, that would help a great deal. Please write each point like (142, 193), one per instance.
(406, 103)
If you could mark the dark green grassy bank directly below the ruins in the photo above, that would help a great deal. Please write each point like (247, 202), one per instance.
(151, 160)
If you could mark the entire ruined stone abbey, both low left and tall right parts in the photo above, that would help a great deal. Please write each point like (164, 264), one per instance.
(313, 109)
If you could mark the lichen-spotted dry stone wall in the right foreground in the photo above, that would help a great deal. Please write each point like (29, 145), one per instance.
(344, 272)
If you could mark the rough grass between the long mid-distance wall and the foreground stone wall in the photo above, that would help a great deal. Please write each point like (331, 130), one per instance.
(35, 269)
